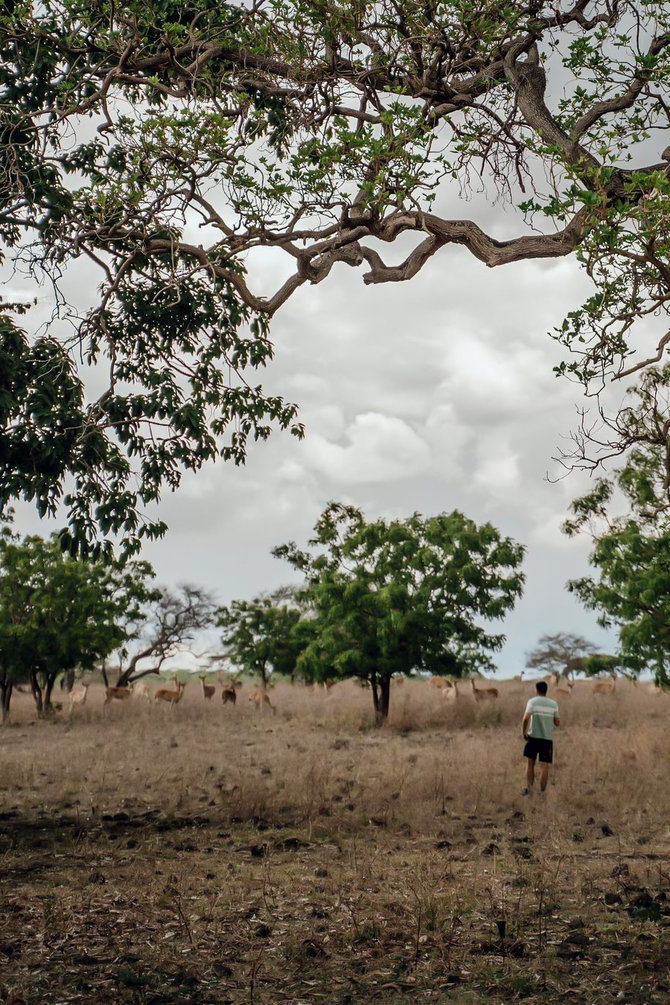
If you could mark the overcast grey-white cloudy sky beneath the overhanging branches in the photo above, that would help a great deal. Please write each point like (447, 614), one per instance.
(430, 395)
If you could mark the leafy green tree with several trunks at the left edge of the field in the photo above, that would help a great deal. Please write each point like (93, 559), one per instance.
(59, 614)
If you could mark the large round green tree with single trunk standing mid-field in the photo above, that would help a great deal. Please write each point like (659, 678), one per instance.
(400, 596)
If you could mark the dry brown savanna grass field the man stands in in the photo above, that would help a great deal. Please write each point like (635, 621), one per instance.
(214, 854)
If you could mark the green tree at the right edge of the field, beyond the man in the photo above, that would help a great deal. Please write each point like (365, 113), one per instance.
(628, 518)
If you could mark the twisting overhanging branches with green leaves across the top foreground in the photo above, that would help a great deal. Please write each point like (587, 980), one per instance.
(167, 145)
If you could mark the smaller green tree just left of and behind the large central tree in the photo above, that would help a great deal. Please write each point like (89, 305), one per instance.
(265, 638)
